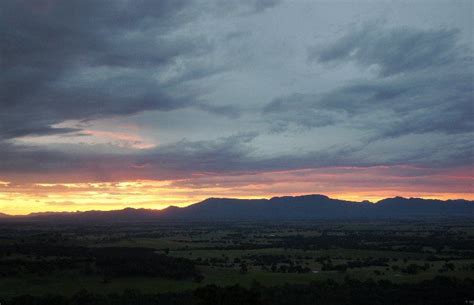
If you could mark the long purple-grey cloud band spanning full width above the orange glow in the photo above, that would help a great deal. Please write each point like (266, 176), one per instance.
(234, 154)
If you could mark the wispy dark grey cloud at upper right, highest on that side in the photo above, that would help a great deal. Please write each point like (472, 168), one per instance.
(394, 50)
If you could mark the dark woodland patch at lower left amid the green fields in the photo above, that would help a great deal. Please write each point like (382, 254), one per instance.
(107, 261)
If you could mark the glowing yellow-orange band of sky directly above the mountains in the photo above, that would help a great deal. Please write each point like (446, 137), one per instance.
(352, 184)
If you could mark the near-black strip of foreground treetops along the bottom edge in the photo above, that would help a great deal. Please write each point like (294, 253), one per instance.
(441, 290)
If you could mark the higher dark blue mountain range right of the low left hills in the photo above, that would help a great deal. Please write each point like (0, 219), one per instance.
(321, 207)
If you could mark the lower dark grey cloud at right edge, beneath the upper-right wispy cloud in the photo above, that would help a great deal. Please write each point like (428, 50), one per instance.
(418, 104)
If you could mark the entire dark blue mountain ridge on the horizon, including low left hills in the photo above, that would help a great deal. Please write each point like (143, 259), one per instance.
(309, 207)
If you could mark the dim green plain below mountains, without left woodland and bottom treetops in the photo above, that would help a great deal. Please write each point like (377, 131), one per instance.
(247, 253)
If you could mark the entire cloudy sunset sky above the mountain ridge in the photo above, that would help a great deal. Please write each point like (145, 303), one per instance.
(142, 103)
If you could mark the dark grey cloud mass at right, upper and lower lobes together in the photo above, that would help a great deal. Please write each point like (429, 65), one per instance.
(425, 85)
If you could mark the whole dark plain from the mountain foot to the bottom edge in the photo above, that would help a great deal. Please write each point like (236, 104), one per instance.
(324, 262)
